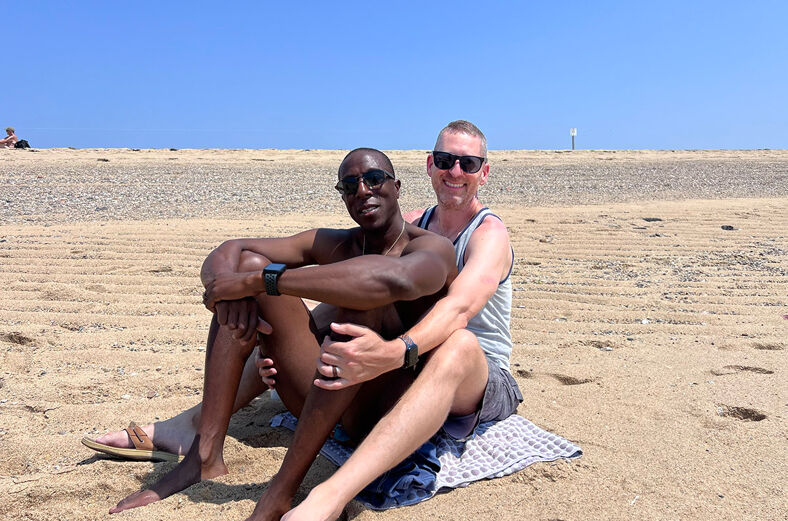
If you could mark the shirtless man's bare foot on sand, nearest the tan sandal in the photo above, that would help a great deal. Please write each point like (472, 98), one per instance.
(188, 472)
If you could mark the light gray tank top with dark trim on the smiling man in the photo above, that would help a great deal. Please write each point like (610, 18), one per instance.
(491, 324)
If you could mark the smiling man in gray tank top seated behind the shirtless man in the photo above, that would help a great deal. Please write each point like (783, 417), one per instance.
(472, 320)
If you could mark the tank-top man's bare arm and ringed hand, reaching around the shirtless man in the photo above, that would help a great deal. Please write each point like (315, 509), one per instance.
(368, 355)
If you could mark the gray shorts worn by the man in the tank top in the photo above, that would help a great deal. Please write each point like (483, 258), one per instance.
(501, 398)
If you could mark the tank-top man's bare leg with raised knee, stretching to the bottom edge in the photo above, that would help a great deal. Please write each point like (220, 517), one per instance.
(443, 386)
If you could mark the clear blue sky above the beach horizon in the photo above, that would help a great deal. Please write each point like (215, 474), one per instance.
(670, 74)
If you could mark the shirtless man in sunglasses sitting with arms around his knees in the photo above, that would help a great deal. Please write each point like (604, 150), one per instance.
(384, 274)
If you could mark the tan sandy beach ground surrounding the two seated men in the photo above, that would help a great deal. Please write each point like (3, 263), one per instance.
(644, 331)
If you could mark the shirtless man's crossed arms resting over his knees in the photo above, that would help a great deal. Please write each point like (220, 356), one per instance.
(328, 270)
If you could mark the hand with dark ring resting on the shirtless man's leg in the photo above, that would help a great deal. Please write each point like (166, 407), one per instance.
(365, 357)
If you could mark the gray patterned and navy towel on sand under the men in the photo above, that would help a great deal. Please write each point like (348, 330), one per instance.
(496, 449)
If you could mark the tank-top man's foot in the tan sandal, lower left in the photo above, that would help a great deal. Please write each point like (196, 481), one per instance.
(174, 435)
